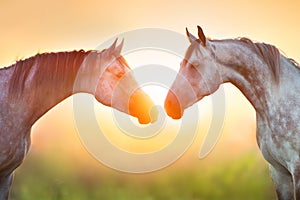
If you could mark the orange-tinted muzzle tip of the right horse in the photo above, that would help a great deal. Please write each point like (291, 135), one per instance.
(172, 106)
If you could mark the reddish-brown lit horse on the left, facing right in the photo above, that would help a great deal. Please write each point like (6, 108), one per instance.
(31, 87)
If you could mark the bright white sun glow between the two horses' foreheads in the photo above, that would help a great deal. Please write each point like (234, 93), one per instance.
(156, 87)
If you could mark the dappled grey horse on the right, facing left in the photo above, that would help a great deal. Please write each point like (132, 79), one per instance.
(267, 78)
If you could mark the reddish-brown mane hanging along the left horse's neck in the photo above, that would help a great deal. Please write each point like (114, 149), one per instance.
(46, 66)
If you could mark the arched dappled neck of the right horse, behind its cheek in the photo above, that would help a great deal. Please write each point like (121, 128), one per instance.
(248, 71)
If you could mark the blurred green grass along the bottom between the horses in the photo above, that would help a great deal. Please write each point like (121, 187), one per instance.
(60, 178)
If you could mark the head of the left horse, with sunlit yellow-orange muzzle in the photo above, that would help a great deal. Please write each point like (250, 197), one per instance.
(117, 88)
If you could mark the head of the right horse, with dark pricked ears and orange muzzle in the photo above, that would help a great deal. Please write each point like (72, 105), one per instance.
(198, 76)
